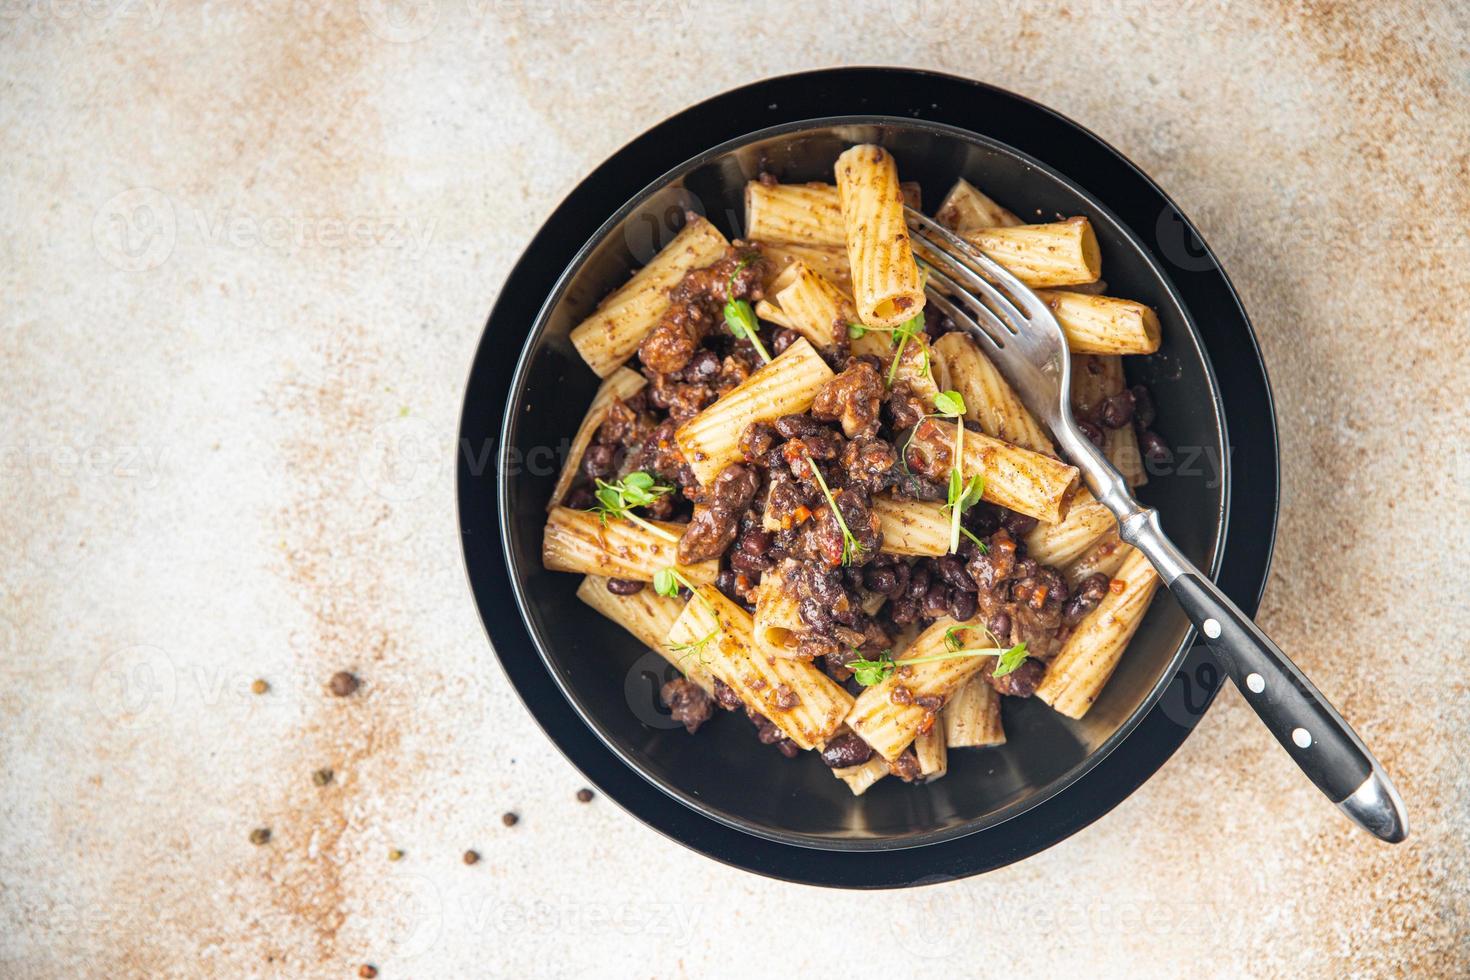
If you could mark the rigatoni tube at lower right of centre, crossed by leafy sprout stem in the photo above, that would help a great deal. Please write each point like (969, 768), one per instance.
(889, 725)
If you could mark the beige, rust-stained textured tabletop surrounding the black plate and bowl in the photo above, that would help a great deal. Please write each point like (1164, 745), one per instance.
(227, 443)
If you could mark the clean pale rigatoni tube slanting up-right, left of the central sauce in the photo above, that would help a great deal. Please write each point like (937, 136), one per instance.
(787, 386)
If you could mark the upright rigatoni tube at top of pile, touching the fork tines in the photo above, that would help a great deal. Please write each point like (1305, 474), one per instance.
(887, 286)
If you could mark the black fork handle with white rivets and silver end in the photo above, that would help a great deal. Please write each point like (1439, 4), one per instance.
(1302, 719)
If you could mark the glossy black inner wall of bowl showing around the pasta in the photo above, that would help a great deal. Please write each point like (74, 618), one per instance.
(614, 681)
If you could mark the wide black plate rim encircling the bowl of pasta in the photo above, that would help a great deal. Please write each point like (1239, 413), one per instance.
(921, 95)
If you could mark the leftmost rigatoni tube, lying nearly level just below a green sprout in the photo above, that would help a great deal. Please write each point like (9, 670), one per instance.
(580, 541)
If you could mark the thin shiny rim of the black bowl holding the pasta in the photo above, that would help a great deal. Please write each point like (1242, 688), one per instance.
(517, 571)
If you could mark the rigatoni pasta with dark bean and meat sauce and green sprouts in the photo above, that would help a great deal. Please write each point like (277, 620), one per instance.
(820, 500)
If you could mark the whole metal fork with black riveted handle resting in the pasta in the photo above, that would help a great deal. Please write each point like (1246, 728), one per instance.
(1021, 336)
